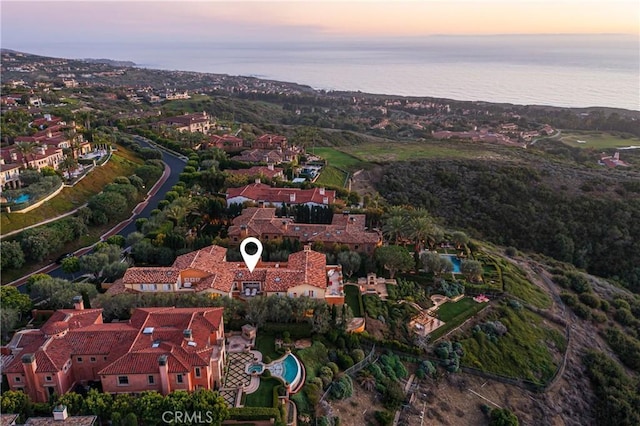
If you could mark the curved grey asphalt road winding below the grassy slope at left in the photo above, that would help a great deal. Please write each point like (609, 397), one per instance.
(175, 164)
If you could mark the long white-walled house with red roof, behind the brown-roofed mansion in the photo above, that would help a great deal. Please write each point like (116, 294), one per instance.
(260, 193)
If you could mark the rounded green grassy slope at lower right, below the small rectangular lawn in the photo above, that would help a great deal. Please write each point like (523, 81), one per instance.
(531, 348)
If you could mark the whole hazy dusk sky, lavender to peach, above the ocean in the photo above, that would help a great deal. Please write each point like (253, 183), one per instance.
(26, 23)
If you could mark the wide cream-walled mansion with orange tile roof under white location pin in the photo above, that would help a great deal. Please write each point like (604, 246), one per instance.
(305, 273)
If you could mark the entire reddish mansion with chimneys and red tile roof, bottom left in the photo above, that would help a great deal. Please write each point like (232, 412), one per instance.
(161, 349)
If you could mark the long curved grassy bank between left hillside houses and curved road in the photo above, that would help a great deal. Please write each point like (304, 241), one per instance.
(122, 163)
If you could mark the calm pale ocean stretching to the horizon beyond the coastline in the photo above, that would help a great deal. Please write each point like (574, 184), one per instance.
(561, 70)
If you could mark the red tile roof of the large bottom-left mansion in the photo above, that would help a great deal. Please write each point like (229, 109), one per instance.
(128, 348)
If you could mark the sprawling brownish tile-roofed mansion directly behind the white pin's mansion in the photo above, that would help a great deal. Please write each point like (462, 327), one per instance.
(347, 229)
